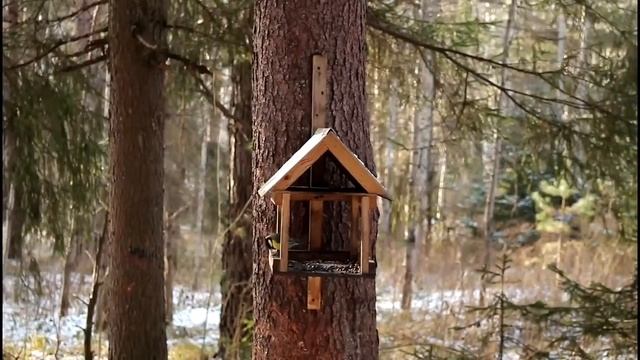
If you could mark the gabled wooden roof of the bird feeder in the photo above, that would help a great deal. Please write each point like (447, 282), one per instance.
(324, 139)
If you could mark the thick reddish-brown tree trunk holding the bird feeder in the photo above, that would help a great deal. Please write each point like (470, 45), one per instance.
(287, 34)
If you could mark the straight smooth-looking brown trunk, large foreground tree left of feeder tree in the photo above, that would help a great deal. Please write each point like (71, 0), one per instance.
(136, 312)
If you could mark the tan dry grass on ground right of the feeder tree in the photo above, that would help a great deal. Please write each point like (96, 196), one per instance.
(451, 266)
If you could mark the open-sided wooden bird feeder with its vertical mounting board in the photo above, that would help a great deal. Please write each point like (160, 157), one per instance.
(316, 261)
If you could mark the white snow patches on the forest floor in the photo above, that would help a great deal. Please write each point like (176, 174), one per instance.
(38, 318)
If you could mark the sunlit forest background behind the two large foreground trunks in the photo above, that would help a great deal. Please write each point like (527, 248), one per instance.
(506, 132)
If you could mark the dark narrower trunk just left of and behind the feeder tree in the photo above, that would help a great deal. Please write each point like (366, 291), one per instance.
(236, 250)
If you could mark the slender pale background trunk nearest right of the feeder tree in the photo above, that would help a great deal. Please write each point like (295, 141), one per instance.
(419, 226)
